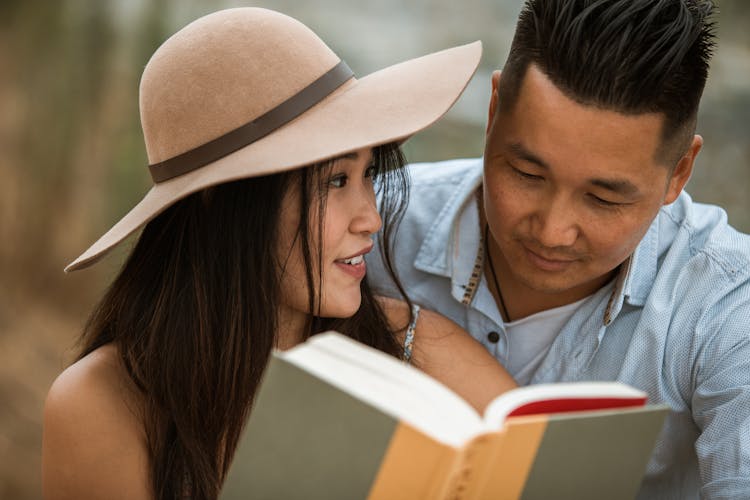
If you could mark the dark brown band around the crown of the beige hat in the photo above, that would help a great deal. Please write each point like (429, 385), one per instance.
(254, 130)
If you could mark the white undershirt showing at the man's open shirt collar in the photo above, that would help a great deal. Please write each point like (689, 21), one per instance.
(530, 338)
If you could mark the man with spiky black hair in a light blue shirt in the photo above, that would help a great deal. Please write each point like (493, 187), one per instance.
(570, 250)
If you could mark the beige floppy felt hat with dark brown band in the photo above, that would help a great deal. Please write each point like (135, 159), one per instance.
(246, 92)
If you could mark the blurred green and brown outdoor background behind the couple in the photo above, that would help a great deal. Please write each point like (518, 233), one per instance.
(72, 161)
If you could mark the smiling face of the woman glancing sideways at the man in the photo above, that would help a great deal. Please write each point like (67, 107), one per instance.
(350, 218)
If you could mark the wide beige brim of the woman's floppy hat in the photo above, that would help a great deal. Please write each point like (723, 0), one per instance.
(386, 106)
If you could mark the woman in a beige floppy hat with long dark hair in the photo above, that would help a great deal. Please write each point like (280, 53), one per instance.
(264, 152)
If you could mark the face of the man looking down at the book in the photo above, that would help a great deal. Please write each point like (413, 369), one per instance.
(569, 189)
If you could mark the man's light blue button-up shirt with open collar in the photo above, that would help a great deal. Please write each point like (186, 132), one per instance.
(675, 323)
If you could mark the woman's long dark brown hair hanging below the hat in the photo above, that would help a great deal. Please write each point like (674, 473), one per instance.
(193, 313)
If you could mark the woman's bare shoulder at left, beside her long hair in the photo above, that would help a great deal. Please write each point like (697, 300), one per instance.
(93, 442)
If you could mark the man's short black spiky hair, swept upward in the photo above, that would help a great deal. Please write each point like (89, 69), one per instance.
(629, 56)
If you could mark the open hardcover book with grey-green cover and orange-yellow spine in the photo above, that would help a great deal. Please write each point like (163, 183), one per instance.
(336, 419)
